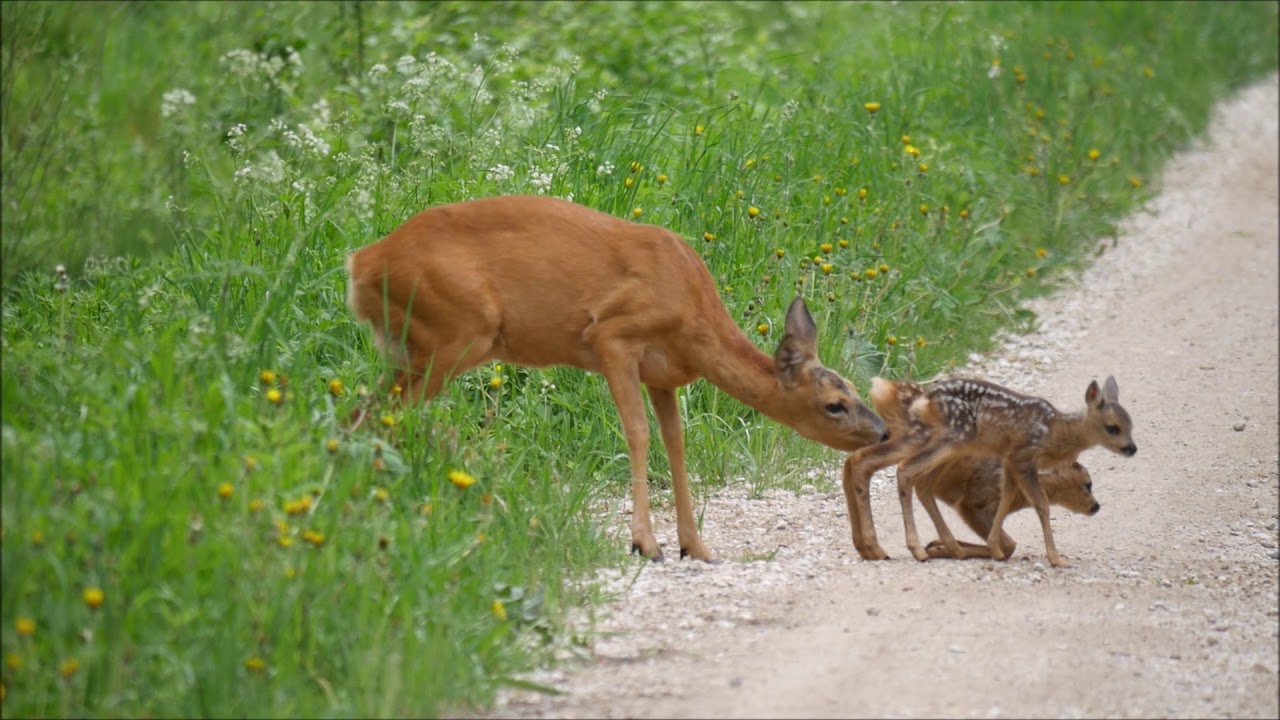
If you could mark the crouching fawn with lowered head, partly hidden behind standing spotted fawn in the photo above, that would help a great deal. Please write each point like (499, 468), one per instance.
(972, 487)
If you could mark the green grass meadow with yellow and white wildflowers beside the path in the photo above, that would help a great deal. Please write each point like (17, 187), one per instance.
(188, 527)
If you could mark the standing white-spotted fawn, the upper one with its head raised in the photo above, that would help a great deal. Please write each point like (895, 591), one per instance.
(968, 418)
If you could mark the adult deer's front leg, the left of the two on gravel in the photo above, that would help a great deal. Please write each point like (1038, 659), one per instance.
(623, 373)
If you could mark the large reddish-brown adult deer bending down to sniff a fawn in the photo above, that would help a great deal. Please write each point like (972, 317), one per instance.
(538, 281)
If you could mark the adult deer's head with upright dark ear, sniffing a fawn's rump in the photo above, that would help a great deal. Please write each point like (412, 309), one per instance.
(819, 403)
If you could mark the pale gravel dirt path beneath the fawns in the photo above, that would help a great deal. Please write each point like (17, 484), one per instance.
(1171, 608)
